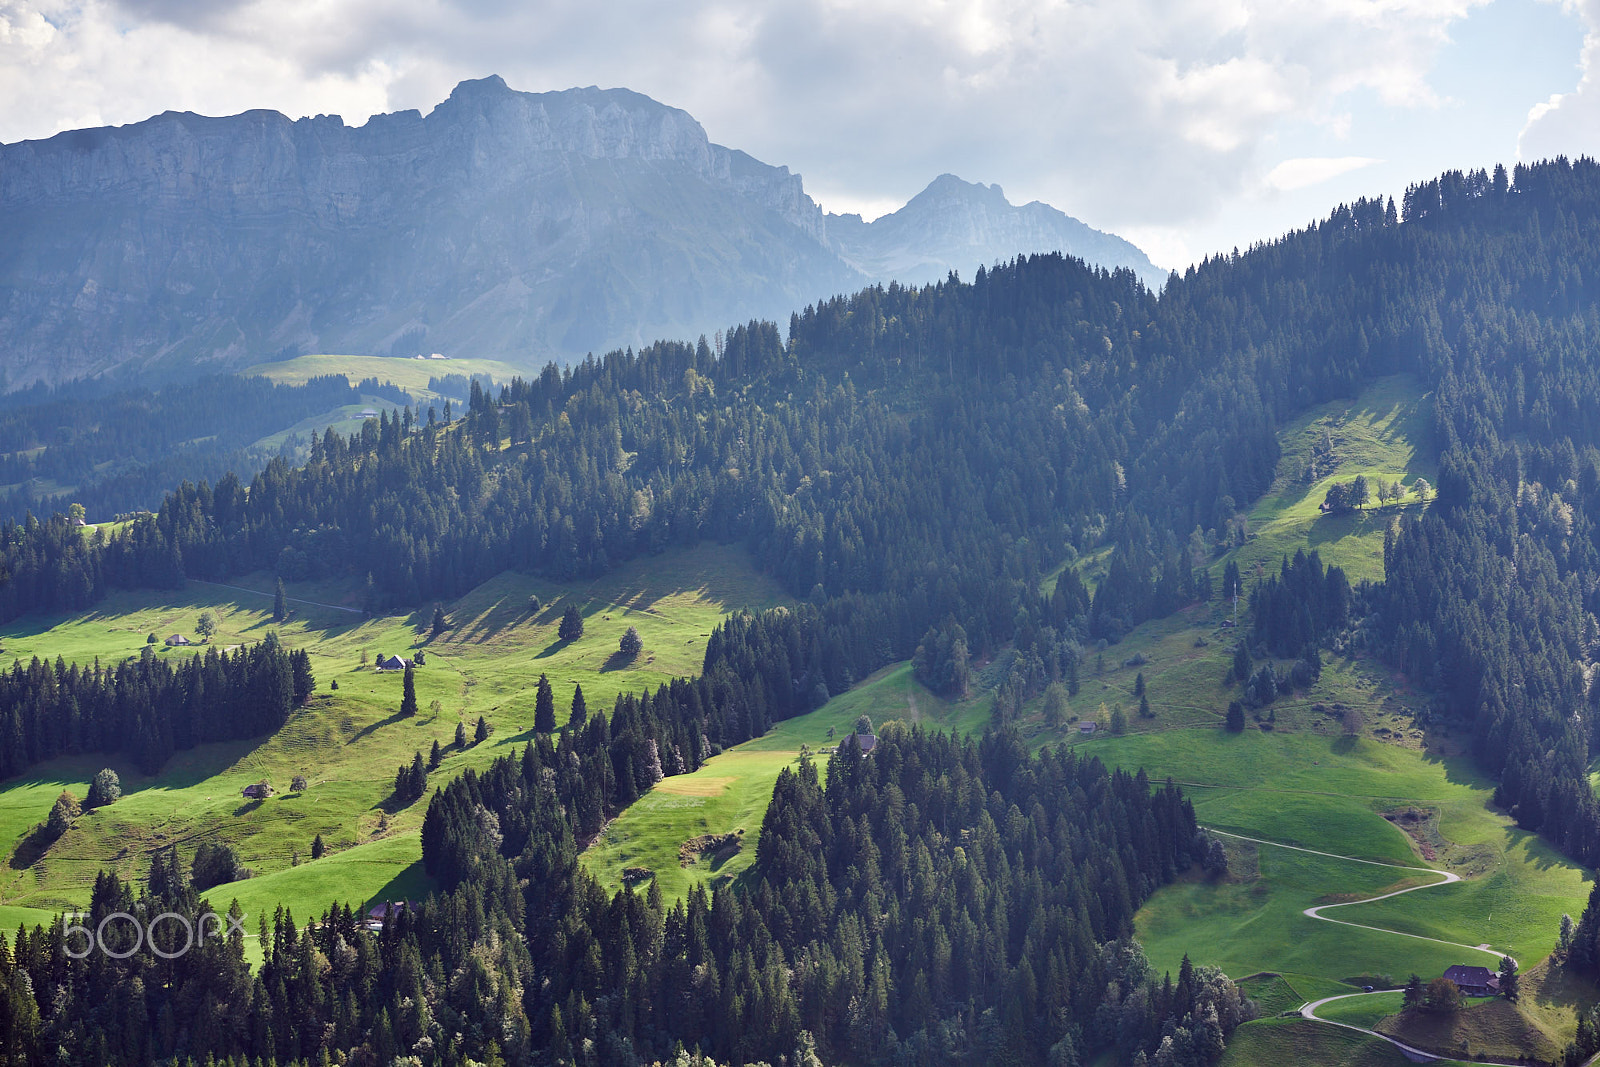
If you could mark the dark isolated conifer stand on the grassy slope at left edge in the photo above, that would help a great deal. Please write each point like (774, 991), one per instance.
(148, 708)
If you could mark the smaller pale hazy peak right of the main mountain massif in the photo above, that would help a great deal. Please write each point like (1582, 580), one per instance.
(958, 226)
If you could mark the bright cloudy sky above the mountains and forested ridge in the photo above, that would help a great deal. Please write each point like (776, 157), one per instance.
(1186, 126)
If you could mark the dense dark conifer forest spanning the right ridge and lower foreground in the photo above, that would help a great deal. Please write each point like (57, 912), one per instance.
(910, 465)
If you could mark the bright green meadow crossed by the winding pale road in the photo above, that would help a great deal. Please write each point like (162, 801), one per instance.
(1276, 786)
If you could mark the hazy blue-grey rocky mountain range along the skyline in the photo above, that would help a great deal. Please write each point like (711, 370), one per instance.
(518, 226)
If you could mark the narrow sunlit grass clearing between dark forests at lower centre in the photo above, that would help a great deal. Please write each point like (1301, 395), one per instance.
(732, 791)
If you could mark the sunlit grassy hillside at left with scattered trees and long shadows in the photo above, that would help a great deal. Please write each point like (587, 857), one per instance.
(350, 741)
